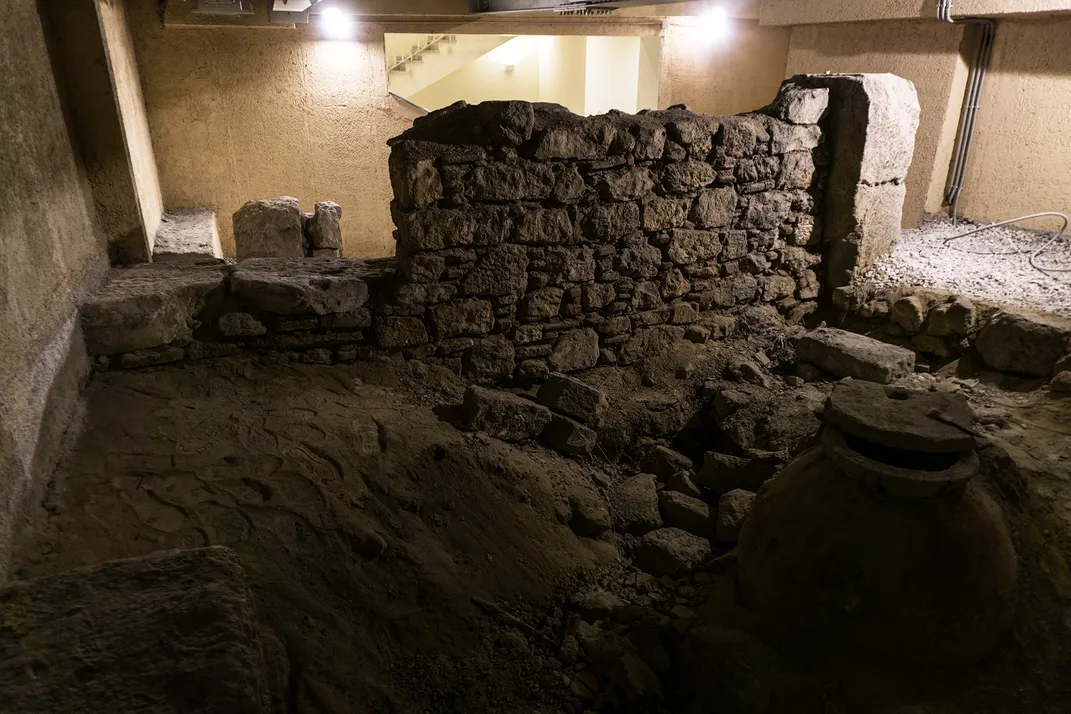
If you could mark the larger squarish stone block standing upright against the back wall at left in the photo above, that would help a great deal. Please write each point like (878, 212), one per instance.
(269, 230)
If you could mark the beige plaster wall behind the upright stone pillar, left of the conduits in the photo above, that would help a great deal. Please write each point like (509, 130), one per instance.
(928, 54)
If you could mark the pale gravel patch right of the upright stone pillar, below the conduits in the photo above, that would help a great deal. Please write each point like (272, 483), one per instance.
(992, 266)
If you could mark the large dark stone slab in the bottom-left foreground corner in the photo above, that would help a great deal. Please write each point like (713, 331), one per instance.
(172, 632)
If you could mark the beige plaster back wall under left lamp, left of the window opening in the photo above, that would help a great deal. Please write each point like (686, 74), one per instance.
(242, 114)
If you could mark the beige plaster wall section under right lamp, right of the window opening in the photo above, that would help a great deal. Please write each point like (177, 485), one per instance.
(738, 74)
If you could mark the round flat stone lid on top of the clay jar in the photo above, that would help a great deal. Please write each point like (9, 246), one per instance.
(897, 418)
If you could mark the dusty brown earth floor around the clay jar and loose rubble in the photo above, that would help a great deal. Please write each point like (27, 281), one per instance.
(369, 525)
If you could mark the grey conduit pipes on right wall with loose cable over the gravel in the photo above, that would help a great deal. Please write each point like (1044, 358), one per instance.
(969, 120)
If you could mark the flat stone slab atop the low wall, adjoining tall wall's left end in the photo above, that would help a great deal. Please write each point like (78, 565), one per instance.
(303, 286)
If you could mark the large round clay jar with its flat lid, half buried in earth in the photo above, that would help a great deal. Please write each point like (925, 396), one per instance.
(879, 539)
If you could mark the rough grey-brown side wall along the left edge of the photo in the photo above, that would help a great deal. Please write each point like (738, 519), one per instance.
(51, 252)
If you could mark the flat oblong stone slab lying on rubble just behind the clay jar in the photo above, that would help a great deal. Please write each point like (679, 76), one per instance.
(846, 354)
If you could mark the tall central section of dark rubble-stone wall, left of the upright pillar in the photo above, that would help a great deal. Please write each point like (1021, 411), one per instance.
(532, 240)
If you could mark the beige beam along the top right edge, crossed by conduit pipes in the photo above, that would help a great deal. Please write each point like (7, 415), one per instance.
(810, 12)
